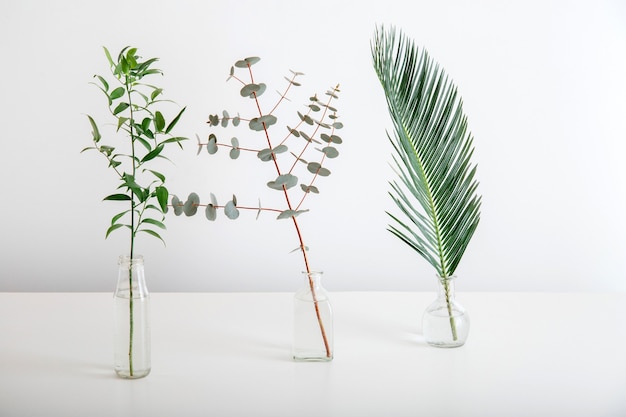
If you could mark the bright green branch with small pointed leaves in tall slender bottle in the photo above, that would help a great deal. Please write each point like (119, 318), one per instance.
(136, 110)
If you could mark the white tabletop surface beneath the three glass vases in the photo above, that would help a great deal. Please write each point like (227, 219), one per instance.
(228, 354)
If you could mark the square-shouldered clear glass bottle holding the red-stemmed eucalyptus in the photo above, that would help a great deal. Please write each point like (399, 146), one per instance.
(313, 321)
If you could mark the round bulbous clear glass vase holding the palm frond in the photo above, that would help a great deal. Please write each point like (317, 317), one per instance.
(445, 322)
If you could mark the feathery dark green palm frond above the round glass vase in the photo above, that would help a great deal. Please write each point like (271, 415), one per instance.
(435, 190)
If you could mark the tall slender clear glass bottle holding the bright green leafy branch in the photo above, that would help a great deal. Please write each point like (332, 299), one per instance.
(132, 320)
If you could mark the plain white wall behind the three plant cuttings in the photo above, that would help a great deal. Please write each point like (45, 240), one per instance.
(543, 85)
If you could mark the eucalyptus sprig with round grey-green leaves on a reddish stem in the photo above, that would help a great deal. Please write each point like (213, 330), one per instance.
(299, 153)
